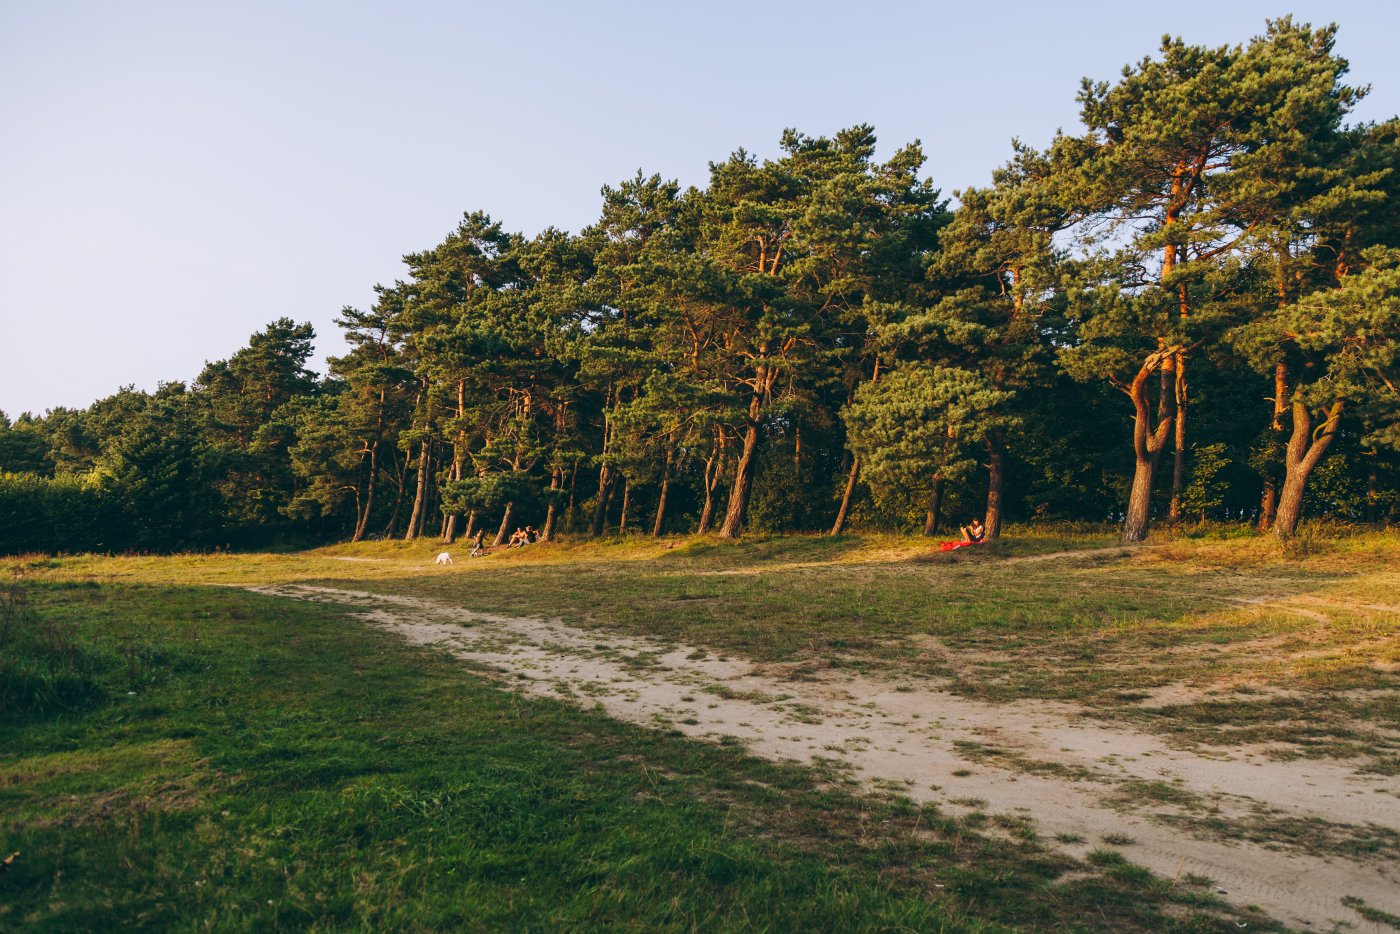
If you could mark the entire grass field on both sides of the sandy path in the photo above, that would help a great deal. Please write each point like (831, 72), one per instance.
(180, 753)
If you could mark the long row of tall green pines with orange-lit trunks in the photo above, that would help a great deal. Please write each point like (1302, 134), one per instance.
(1191, 310)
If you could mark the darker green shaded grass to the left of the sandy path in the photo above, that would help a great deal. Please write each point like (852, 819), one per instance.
(199, 757)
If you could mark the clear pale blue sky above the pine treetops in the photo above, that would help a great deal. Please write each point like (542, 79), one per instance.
(174, 176)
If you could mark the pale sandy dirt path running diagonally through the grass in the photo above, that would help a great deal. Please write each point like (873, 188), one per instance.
(913, 740)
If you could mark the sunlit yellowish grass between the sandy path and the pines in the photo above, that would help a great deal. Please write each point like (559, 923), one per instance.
(1212, 610)
